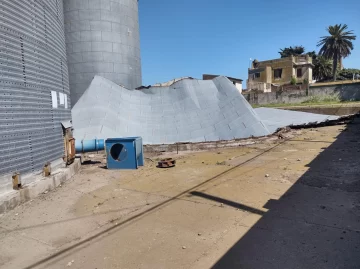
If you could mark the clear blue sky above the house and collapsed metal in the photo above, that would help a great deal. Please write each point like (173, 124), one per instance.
(192, 37)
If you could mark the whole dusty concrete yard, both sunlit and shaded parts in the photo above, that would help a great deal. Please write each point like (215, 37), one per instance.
(285, 203)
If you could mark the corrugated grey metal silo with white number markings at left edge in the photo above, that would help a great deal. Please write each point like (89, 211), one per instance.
(34, 87)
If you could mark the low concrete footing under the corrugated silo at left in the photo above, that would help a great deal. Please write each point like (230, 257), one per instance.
(40, 184)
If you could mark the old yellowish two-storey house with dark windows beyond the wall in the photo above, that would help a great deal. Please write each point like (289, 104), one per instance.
(262, 75)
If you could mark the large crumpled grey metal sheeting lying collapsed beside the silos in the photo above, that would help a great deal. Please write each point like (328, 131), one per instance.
(187, 111)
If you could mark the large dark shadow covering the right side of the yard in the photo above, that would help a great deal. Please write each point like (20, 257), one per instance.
(316, 224)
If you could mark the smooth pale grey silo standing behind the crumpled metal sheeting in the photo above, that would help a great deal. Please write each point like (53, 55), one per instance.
(102, 38)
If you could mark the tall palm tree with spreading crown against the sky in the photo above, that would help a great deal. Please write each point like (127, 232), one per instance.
(337, 45)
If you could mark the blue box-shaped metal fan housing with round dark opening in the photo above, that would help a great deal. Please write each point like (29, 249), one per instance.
(124, 153)
